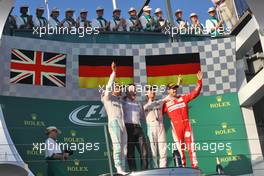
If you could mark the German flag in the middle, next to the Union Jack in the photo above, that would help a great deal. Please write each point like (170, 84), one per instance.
(94, 71)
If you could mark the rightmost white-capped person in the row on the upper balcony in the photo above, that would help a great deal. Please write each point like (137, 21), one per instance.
(214, 26)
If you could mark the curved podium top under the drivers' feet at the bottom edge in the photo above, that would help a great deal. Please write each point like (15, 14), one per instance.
(164, 172)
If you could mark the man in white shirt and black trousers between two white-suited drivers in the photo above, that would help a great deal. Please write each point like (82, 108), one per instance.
(133, 113)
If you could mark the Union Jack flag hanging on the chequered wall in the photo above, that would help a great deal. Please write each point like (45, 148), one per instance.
(38, 68)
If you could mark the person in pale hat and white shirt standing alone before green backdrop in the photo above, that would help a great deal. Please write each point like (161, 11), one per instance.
(53, 154)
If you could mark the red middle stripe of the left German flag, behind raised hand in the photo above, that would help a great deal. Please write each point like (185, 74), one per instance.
(104, 71)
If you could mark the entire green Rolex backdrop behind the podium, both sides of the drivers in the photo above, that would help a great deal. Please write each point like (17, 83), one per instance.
(216, 120)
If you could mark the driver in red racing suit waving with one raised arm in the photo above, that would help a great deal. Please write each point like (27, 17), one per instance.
(177, 110)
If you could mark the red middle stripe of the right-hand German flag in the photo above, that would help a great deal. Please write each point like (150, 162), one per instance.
(174, 69)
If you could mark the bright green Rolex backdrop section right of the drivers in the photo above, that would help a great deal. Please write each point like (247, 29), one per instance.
(217, 122)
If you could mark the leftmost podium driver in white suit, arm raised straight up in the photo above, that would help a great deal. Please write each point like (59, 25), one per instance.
(116, 126)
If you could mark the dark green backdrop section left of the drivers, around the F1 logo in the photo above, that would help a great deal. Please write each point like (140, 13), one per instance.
(27, 119)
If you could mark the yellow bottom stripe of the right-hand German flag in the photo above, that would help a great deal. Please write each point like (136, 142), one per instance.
(164, 80)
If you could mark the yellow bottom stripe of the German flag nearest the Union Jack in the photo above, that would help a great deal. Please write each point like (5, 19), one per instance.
(97, 82)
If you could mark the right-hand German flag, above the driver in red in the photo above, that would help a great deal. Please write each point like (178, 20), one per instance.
(163, 69)
